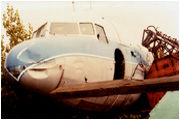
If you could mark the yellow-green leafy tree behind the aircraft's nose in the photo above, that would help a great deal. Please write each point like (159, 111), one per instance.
(15, 31)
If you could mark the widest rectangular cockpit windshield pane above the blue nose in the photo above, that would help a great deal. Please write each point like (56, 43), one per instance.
(64, 28)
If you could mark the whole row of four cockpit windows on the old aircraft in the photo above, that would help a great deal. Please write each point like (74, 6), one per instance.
(72, 29)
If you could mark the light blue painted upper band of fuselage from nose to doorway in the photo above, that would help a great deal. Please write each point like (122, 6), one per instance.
(41, 49)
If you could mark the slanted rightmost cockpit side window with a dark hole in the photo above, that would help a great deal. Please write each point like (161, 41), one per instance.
(101, 33)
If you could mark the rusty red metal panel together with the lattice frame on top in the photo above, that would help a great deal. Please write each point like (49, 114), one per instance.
(165, 50)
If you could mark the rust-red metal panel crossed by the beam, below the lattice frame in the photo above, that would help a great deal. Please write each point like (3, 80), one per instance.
(166, 66)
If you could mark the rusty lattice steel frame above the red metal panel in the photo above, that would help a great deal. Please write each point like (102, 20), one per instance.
(158, 43)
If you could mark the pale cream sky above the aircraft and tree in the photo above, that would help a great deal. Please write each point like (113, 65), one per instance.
(131, 16)
